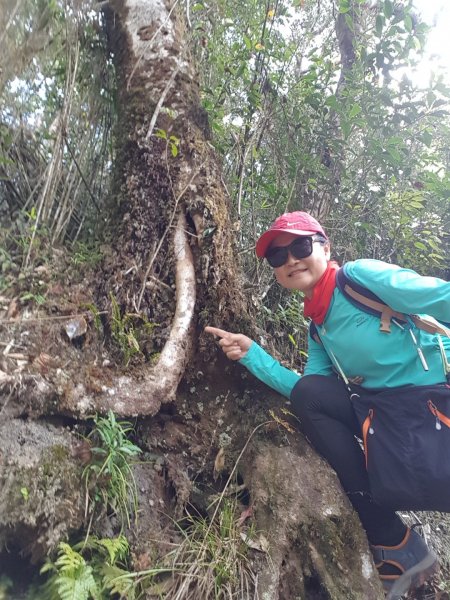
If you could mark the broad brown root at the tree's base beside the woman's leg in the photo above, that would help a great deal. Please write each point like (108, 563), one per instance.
(316, 541)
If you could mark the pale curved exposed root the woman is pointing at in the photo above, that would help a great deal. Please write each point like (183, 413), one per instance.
(125, 395)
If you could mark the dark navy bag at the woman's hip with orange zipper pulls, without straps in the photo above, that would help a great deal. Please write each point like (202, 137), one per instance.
(406, 437)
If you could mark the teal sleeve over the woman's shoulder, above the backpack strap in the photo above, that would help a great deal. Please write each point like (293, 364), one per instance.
(403, 290)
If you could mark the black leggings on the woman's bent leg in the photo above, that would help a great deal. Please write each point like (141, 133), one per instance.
(328, 421)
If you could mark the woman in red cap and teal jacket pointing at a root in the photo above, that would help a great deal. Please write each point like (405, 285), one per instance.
(350, 343)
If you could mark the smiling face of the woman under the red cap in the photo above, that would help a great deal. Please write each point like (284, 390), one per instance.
(301, 273)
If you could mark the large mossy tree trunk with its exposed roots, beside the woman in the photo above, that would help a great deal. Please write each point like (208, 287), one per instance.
(171, 262)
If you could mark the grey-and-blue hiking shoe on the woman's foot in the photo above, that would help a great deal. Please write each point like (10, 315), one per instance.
(404, 567)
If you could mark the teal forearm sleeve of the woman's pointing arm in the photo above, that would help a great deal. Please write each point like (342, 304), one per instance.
(270, 371)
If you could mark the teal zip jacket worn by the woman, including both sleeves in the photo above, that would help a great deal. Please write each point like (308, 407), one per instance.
(351, 339)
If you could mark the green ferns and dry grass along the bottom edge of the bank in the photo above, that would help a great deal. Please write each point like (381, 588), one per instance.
(211, 560)
